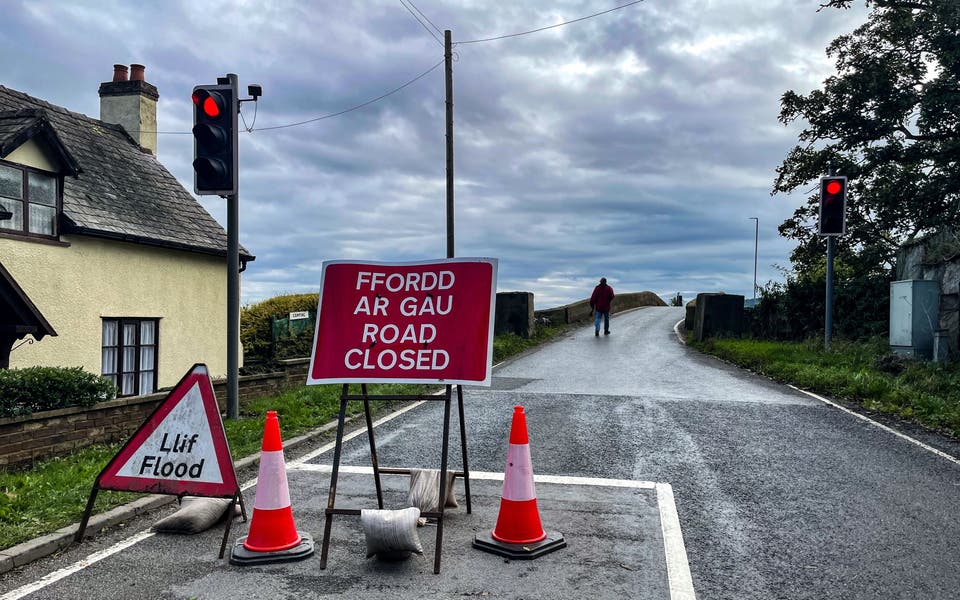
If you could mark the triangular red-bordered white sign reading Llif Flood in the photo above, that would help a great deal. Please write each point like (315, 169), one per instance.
(180, 449)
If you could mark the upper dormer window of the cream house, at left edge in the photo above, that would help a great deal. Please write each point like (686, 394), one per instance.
(33, 197)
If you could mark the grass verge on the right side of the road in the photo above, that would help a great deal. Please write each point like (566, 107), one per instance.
(861, 372)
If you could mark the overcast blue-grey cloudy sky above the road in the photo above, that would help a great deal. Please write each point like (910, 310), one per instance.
(635, 145)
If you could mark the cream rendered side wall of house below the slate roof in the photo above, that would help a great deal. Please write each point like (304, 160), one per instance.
(75, 286)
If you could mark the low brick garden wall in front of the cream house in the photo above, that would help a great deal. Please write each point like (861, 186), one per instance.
(42, 435)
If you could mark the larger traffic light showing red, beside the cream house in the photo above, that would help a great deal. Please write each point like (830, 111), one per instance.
(215, 140)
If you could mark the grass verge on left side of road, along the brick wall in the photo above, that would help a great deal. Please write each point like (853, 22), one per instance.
(53, 494)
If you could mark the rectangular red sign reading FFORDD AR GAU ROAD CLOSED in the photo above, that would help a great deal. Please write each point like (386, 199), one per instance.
(422, 322)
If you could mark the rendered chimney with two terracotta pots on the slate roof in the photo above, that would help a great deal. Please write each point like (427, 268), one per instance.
(131, 104)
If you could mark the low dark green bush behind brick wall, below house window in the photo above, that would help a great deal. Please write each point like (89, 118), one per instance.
(24, 391)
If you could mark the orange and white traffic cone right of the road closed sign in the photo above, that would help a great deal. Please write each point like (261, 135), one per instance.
(519, 533)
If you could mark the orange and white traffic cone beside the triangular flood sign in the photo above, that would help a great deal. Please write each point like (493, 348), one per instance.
(273, 536)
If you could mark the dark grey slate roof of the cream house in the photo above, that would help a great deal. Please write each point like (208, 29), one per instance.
(120, 191)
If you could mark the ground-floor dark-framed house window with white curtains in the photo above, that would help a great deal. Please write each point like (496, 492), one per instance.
(129, 354)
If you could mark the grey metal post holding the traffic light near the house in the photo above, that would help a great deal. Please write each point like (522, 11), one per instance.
(233, 292)
